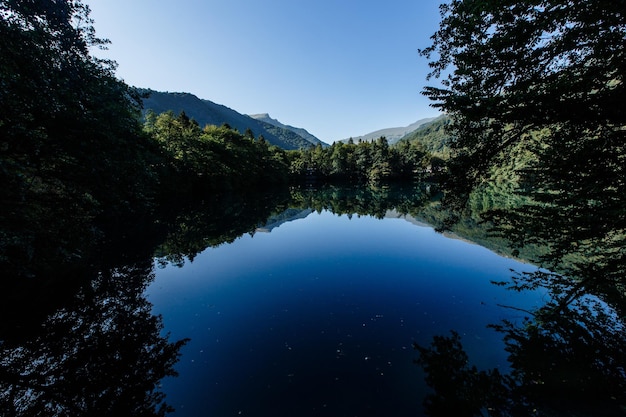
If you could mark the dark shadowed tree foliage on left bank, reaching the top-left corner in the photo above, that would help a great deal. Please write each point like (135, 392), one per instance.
(72, 155)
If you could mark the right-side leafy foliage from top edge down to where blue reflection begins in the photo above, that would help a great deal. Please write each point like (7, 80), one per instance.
(533, 92)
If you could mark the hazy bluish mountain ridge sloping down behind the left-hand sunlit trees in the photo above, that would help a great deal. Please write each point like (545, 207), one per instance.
(206, 112)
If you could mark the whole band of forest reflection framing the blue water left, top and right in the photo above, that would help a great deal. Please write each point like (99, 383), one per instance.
(99, 350)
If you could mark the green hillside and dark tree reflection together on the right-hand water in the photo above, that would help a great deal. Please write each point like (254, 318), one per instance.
(568, 356)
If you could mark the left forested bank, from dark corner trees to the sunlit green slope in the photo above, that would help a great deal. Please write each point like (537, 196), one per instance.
(76, 160)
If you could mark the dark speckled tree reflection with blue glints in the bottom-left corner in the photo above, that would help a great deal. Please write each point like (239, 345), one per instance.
(103, 354)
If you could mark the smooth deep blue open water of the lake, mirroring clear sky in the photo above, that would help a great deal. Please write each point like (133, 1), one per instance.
(318, 317)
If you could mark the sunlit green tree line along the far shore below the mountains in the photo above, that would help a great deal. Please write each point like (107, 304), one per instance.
(218, 158)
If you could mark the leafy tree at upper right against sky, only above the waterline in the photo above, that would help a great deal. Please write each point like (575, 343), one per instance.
(512, 68)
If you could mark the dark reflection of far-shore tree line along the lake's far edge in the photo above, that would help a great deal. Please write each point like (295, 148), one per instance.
(211, 223)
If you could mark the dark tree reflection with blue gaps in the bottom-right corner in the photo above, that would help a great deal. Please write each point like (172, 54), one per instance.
(566, 359)
